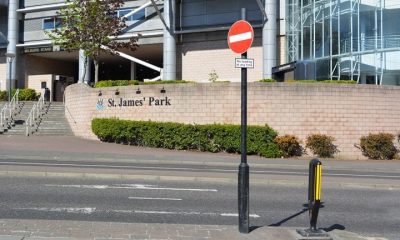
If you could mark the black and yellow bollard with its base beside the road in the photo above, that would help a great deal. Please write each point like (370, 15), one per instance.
(314, 200)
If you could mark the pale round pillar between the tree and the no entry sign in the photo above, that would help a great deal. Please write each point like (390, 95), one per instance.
(169, 72)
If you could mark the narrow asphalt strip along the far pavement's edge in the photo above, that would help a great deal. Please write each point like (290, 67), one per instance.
(282, 169)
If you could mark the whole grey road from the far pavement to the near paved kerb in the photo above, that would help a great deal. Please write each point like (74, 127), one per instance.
(358, 199)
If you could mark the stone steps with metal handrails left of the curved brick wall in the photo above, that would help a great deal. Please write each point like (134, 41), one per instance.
(52, 123)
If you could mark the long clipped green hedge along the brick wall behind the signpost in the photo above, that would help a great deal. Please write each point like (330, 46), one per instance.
(211, 138)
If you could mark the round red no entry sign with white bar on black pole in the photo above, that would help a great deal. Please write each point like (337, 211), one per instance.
(240, 36)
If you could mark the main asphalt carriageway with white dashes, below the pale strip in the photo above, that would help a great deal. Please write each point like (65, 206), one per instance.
(367, 211)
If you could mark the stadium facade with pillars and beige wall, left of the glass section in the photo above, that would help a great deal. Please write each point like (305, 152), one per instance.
(179, 39)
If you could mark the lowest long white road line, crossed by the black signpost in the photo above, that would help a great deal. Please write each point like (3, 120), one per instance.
(94, 210)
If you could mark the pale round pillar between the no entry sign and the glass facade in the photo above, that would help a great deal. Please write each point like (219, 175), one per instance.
(269, 38)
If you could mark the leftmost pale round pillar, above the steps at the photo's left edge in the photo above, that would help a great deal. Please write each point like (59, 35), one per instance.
(12, 38)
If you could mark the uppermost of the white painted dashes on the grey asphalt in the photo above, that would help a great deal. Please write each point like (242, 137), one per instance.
(133, 186)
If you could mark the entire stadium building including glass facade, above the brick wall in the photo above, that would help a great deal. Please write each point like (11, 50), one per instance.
(186, 39)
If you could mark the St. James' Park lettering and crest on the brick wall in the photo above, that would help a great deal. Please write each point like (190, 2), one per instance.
(132, 102)
